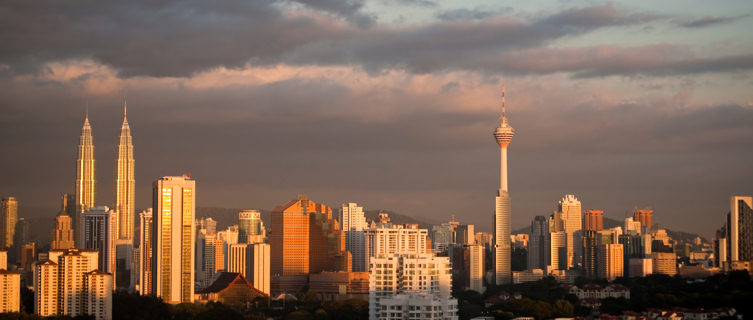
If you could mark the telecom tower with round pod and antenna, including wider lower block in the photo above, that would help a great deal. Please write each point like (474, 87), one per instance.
(502, 272)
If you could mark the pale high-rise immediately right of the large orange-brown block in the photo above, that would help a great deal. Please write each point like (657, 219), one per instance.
(354, 224)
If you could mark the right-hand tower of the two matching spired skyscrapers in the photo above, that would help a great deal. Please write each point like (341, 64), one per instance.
(125, 185)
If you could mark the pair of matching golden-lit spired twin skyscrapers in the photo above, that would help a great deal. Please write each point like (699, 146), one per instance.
(124, 179)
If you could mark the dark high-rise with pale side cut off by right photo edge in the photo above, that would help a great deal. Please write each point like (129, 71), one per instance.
(740, 230)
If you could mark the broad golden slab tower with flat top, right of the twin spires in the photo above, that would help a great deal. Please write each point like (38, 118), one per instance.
(174, 205)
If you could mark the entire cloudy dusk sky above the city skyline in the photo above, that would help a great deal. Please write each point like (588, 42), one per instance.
(388, 103)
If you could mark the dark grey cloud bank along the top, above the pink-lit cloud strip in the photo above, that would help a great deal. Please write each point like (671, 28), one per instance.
(169, 39)
